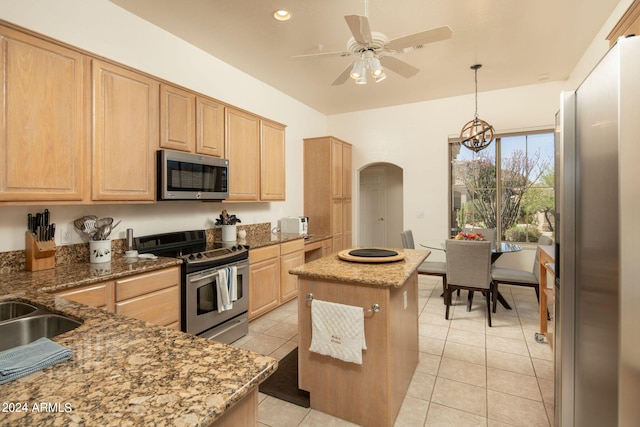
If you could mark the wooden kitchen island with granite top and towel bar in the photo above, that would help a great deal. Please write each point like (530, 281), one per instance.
(369, 394)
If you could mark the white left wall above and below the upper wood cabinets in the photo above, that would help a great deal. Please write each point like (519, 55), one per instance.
(103, 28)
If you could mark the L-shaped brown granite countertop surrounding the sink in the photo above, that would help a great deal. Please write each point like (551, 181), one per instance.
(125, 371)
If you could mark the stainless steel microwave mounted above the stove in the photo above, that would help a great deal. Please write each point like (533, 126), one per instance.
(185, 176)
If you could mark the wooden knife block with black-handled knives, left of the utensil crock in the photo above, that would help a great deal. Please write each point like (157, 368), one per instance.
(40, 246)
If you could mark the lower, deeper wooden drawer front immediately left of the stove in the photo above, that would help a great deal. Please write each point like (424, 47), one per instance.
(161, 307)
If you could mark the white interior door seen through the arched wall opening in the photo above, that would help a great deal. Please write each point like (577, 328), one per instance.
(373, 207)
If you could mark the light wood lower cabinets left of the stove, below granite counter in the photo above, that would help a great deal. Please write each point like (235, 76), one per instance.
(153, 297)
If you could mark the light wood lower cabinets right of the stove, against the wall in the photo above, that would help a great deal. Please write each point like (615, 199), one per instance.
(270, 283)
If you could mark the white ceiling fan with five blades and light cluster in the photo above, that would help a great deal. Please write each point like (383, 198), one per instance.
(374, 50)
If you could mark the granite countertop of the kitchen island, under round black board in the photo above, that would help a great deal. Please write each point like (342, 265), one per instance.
(377, 274)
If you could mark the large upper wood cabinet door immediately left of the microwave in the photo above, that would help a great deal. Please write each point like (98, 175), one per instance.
(125, 136)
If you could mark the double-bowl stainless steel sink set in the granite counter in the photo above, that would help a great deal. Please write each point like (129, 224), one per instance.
(22, 326)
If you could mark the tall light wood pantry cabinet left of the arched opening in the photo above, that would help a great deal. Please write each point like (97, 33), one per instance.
(327, 189)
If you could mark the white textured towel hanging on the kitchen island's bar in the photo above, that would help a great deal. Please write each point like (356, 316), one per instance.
(337, 330)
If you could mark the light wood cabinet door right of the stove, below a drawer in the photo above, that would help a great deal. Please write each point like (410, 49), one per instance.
(264, 287)
